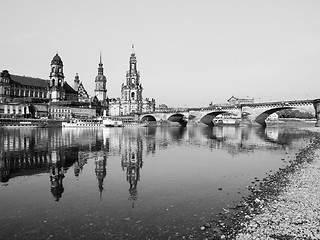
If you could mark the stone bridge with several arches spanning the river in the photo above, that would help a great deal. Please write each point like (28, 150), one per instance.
(254, 113)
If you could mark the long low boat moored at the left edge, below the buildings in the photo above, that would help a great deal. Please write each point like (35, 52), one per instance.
(22, 122)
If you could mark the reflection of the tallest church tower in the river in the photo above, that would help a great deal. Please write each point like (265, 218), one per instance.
(131, 162)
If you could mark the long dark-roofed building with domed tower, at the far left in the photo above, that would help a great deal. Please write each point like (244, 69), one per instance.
(23, 96)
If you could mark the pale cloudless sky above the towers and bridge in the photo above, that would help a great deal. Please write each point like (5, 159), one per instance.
(189, 53)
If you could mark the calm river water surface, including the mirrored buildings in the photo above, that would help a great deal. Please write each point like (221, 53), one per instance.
(131, 183)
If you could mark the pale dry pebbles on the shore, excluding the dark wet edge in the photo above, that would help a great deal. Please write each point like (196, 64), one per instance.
(294, 213)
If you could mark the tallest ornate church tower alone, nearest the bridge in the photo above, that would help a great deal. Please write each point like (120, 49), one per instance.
(131, 92)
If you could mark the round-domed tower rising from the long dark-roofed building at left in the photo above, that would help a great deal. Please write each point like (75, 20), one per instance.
(56, 79)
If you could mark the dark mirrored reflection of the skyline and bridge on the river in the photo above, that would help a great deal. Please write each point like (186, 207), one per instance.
(33, 151)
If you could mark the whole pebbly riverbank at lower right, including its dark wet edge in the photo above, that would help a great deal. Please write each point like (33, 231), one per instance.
(285, 206)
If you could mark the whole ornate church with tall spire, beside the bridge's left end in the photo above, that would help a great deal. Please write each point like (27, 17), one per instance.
(131, 101)
